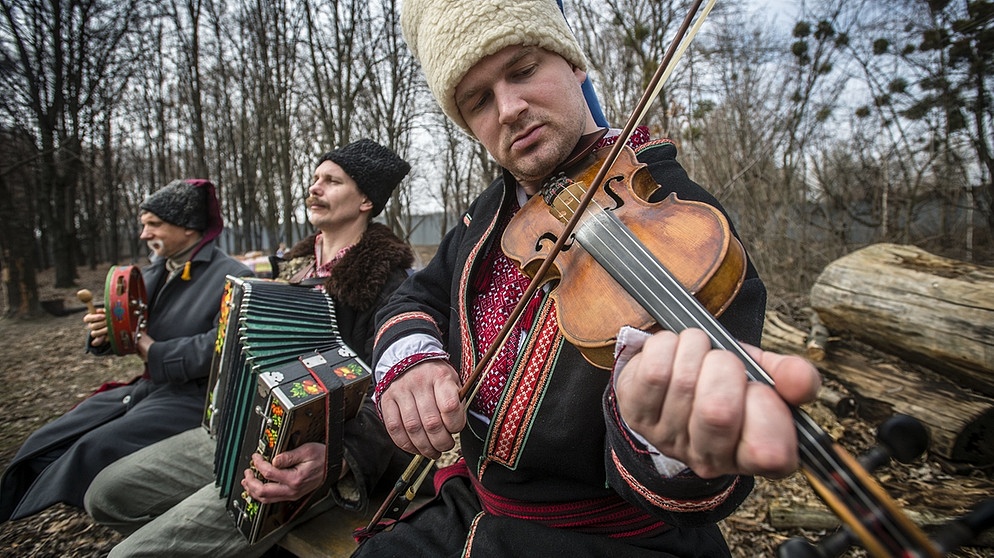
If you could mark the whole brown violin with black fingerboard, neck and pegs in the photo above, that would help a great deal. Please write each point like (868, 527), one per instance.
(675, 264)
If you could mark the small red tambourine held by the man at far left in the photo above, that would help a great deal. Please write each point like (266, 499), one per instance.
(126, 309)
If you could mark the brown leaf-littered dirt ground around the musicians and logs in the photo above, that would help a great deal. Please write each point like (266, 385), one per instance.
(45, 372)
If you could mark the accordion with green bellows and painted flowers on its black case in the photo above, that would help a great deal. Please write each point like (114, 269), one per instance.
(281, 376)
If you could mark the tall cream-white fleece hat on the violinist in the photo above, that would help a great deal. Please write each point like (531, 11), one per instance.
(449, 36)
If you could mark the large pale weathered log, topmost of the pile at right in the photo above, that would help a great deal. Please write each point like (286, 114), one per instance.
(928, 309)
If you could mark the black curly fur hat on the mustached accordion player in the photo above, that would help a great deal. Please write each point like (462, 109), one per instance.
(376, 169)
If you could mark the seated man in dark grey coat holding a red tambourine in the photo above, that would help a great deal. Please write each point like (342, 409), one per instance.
(183, 286)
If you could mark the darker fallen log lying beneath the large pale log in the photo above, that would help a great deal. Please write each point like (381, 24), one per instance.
(960, 421)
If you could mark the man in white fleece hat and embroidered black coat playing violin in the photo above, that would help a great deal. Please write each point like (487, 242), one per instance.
(559, 457)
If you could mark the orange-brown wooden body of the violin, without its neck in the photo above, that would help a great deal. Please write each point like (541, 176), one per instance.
(712, 262)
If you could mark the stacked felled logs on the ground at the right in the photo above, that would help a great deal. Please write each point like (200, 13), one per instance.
(932, 317)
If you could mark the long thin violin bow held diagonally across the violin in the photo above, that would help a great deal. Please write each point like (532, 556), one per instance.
(406, 487)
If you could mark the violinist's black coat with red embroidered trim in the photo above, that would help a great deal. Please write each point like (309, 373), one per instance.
(555, 437)
